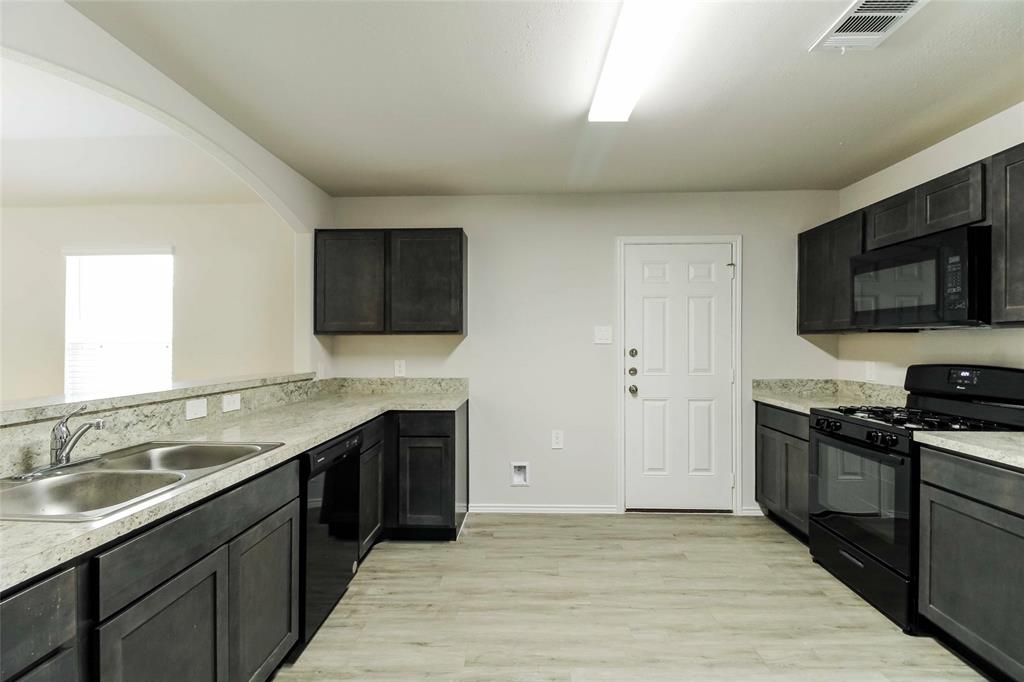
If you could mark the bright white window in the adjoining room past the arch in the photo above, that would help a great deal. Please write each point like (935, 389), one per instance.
(118, 322)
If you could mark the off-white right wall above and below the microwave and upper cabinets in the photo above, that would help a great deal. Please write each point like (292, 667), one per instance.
(885, 357)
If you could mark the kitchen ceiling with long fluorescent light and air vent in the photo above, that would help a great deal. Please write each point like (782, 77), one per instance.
(371, 99)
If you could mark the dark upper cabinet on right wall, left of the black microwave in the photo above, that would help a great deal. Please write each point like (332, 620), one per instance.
(825, 280)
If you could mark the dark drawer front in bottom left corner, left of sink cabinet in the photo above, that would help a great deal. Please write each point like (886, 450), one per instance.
(36, 622)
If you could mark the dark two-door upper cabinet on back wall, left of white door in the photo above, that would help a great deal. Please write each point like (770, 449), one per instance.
(391, 281)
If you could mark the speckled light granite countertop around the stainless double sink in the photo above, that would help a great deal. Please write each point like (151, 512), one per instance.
(31, 548)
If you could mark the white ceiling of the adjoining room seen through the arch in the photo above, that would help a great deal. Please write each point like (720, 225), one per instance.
(65, 144)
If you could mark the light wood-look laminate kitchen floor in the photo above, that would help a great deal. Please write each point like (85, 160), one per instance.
(611, 599)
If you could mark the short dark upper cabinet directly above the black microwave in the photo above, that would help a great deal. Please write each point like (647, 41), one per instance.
(951, 201)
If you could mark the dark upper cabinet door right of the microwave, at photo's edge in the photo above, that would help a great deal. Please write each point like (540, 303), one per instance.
(1008, 236)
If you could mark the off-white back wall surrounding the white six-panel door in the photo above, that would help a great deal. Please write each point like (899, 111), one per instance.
(542, 274)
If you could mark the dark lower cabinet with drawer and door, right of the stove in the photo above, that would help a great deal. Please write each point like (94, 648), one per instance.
(972, 557)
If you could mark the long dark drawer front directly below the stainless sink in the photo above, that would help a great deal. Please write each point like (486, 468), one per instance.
(135, 568)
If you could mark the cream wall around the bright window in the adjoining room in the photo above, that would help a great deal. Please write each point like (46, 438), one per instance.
(234, 303)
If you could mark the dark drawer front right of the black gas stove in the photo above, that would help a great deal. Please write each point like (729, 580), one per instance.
(992, 485)
